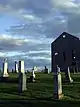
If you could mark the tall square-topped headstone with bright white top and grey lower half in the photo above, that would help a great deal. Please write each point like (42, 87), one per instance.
(22, 77)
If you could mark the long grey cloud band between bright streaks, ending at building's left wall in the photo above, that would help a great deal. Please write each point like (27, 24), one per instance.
(5, 47)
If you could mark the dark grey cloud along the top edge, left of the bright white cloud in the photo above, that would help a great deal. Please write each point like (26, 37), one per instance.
(38, 7)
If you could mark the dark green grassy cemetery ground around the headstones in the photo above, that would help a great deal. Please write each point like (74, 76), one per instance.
(39, 93)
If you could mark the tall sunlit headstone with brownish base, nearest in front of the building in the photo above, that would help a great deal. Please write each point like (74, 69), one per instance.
(57, 84)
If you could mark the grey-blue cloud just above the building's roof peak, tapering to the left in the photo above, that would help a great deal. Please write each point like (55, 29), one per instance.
(48, 28)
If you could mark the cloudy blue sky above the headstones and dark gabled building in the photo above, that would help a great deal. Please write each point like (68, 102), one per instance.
(27, 28)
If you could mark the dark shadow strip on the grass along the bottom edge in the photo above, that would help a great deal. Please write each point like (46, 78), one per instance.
(39, 103)
